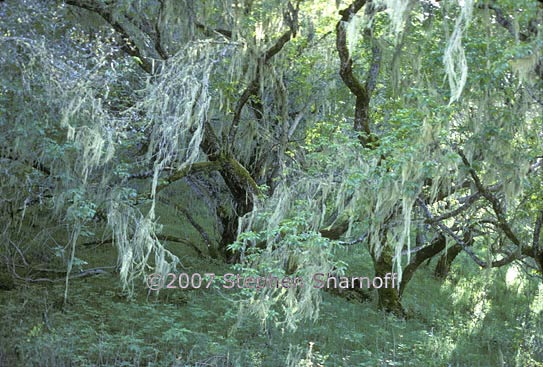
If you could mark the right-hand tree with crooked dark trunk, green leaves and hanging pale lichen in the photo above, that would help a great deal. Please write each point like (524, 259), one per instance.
(415, 133)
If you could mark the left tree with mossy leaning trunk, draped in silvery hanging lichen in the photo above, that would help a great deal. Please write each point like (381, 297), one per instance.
(171, 137)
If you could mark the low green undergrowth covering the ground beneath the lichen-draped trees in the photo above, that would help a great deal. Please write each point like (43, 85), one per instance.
(464, 321)
